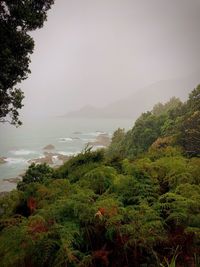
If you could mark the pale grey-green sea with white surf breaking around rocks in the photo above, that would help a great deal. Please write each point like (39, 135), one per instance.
(69, 136)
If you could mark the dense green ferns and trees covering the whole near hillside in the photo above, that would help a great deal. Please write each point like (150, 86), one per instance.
(136, 203)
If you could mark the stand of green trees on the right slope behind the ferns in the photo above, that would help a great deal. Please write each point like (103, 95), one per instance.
(173, 120)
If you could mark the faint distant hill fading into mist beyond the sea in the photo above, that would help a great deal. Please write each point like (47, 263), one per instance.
(141, 101)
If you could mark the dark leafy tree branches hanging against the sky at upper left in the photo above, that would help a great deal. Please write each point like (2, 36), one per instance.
(17, 19)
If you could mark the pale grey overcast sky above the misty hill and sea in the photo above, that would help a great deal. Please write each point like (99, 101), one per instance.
(98, 51)
